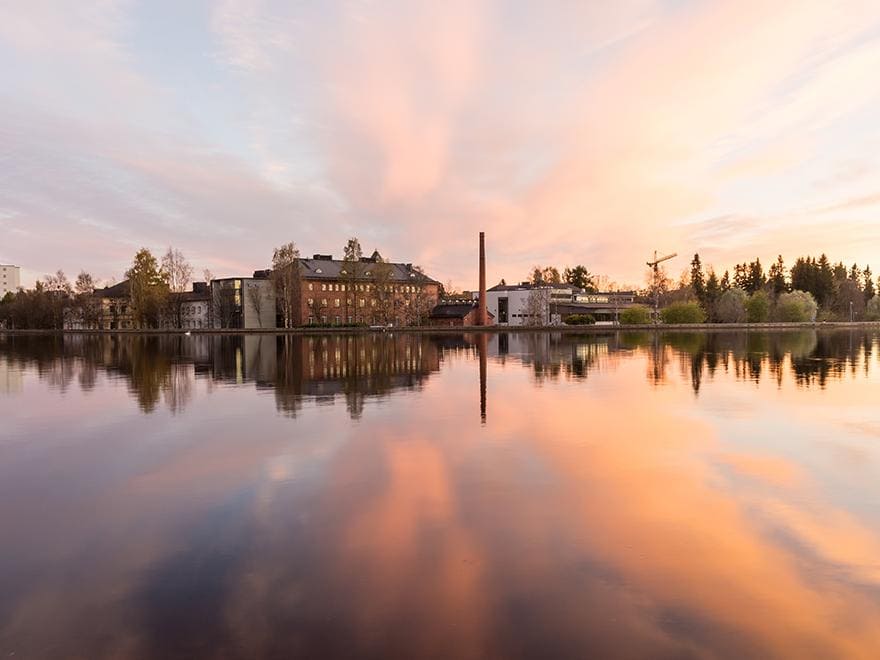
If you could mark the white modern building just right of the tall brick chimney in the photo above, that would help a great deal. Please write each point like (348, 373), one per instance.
(527, 304)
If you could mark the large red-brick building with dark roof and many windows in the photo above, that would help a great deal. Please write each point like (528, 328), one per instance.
(369, 291)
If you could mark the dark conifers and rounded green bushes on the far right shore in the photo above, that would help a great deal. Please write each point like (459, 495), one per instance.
(813, 289)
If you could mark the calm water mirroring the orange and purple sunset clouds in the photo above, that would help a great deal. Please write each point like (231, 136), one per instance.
(511, 496)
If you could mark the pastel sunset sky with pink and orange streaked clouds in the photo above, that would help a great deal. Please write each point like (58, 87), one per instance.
(570, 132)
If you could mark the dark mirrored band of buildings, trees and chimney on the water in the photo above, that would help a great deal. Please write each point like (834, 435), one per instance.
(324, 369)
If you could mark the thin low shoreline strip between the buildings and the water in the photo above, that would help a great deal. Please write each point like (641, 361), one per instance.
(563, 329)
